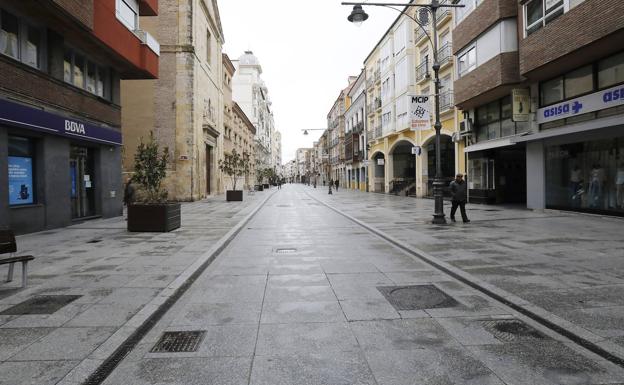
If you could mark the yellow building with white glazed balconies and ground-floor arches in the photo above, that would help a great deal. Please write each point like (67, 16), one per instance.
(398, 67)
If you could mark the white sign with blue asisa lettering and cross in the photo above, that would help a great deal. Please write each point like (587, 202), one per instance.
(597, 101)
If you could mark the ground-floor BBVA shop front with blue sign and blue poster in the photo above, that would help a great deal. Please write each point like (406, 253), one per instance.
(59, 169)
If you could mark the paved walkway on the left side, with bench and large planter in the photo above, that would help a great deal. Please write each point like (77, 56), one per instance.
(110, 276)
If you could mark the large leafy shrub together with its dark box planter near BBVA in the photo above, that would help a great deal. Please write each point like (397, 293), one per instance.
(150, 211)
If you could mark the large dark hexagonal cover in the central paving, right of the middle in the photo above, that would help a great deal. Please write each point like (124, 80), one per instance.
(416, 297)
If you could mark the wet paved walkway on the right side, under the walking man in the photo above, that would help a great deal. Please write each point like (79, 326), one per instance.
(568, 265)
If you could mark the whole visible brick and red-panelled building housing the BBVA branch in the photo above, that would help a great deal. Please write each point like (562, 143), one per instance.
(60, 110)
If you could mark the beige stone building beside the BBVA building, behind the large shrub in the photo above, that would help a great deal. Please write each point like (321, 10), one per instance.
(184, 107)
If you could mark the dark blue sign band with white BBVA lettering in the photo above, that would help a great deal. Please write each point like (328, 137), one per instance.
(16, 114)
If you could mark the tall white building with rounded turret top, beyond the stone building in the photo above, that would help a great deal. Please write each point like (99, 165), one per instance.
(252, 94)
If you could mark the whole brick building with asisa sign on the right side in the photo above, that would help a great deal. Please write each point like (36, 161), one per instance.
(540, 86)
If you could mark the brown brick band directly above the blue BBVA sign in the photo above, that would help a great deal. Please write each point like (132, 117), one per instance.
(16, 78)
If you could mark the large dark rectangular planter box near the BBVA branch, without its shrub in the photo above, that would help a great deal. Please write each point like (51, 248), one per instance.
(159, 218)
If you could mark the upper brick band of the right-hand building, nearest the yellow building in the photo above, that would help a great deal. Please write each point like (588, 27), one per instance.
(480, 19)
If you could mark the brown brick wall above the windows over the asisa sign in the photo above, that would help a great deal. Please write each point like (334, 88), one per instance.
(585, 24)
